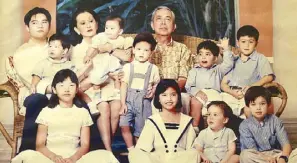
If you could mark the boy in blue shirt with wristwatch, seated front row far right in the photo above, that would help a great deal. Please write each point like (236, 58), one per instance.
(262, 133)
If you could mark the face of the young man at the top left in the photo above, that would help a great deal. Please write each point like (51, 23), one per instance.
(38, 26)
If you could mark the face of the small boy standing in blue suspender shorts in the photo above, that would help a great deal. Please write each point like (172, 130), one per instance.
(142, 51)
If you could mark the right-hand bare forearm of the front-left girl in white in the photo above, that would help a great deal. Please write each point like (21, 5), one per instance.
(84, 144)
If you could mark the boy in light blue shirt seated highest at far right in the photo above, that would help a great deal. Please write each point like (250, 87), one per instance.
(250, 69)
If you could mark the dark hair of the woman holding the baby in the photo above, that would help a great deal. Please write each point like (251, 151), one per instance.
(73, 24)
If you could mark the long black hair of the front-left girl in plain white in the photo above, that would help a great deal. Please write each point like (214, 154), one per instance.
(59, 77)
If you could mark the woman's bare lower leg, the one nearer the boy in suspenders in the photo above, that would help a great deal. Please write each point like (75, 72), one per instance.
(115, 107)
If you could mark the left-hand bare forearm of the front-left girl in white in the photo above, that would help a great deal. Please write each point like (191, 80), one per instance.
(40, 144)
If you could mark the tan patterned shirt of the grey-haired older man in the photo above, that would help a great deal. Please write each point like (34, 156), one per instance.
(173, 60)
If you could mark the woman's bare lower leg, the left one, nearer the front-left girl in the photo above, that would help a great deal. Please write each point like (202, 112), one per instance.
(103, 124)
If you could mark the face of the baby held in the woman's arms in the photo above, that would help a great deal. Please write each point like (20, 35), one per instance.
(113, 29)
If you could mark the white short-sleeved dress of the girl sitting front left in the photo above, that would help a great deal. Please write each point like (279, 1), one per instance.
(64, 130)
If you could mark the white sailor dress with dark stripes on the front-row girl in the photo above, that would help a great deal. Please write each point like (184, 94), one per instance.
(157, 145)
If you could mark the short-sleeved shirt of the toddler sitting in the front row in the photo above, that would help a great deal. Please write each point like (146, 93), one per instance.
(215, 144)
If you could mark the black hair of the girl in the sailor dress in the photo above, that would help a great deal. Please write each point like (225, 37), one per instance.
(163, 85)
